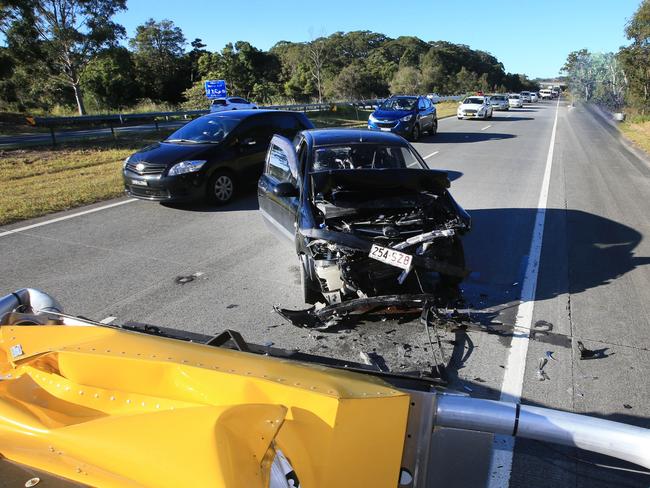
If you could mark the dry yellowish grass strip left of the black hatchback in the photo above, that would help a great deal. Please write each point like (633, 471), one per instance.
(38, 181)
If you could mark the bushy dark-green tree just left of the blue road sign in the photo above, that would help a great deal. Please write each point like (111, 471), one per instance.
(158, 51)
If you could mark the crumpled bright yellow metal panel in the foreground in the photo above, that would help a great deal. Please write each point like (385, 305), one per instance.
(114, 408)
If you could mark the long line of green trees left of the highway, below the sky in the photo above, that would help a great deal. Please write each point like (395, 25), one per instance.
(71, 53)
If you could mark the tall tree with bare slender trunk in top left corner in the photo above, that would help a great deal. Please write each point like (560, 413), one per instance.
(63, 35)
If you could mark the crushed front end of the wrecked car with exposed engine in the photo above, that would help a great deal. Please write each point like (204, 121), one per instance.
(416, 217)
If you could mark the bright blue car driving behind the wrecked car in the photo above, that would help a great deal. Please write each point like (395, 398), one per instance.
(408, 116)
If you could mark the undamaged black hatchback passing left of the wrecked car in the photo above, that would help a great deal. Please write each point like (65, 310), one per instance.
(210, 157)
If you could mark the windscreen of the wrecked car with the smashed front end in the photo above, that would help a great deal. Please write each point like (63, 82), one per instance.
(364, 156)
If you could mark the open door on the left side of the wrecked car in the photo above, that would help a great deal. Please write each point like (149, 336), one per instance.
(278, 191)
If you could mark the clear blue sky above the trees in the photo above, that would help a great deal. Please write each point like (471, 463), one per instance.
(531, 37)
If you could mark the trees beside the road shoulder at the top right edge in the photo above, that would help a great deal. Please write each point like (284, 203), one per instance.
(615, 79)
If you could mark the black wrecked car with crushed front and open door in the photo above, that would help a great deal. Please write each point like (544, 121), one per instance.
(367, 217)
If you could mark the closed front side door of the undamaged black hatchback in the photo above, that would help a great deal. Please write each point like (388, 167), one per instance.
(251, 143)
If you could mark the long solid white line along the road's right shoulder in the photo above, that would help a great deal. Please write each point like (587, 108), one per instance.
(513, 377)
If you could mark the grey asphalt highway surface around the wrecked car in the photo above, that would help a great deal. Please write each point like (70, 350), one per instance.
(593, 283)
